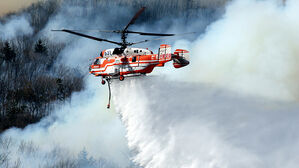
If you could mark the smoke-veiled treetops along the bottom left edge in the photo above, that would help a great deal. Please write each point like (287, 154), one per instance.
(13, 154)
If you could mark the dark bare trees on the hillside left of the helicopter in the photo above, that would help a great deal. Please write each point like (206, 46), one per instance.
(30, 82)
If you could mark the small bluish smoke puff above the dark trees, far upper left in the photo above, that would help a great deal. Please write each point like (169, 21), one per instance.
(16, 26)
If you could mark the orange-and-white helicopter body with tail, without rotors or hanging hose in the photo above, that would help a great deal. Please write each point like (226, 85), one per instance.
(132, 61)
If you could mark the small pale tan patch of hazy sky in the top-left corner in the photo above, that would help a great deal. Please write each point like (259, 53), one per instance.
(13, 5)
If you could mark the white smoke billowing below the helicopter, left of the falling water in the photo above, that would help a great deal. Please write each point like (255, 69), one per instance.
(82, 124)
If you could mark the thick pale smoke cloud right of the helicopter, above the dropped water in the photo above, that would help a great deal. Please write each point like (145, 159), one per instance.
(253, 49)
